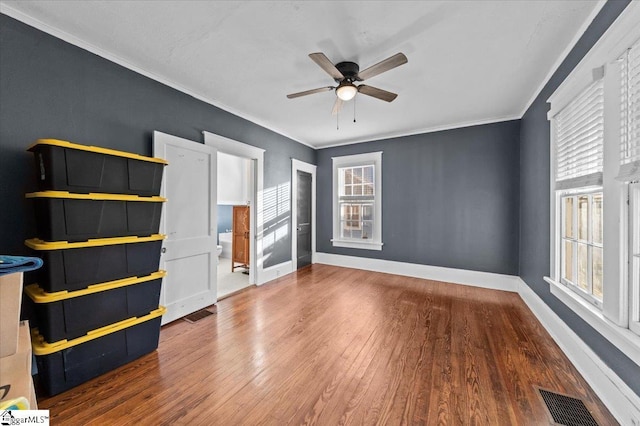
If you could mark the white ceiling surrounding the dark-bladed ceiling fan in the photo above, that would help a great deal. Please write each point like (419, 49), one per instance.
(470, 62)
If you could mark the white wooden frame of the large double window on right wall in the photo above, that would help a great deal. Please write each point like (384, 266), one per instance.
(612, 318)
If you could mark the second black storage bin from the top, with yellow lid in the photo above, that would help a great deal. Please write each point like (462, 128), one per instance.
(63, 216)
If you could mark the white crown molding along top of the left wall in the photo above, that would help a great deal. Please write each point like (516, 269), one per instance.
(83, 44)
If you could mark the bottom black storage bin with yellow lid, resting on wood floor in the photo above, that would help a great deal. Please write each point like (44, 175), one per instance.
(63, 365)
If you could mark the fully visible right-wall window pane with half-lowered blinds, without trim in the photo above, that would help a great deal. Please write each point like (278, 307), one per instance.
(579, 137)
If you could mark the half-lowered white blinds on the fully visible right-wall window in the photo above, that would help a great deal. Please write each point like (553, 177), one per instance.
(579, 139)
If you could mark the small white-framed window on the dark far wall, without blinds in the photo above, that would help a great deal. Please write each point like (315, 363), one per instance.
(357, 201)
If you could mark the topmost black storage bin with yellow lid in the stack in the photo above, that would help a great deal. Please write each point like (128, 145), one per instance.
(66, 166)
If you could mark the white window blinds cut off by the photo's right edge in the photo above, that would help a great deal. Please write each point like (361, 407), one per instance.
(630, 115)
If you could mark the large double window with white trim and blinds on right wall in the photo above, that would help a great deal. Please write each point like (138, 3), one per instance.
(594, 195)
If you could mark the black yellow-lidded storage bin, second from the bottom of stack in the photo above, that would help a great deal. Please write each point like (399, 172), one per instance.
(67, 315)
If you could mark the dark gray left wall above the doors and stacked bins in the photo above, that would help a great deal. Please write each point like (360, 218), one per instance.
(52, 89)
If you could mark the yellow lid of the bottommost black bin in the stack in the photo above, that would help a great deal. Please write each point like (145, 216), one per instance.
(40, 347)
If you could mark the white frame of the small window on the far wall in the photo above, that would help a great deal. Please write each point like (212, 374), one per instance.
(371, 158)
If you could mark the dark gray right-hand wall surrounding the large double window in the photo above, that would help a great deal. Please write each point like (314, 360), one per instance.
(535, 204)
